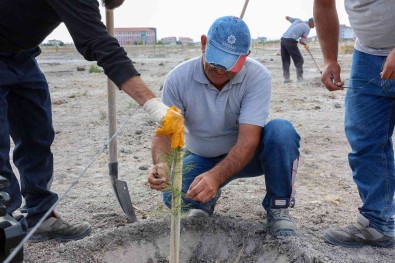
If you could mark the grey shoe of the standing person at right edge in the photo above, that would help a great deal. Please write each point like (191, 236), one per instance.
(358, 235)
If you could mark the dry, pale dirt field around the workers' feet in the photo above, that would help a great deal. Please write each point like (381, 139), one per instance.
(326, 194)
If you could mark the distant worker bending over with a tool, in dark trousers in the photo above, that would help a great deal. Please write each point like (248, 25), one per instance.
(296, 32)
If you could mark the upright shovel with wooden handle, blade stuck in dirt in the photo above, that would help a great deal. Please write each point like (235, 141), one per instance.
(120, 187)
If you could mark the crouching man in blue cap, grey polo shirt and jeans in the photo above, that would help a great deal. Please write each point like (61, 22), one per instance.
(225, 100)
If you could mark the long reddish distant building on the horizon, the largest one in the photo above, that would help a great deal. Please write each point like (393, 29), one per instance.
(135, 35)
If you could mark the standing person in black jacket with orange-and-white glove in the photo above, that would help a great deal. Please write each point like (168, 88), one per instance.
(25, 105)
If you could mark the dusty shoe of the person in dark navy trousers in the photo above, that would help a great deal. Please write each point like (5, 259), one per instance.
(58, 229)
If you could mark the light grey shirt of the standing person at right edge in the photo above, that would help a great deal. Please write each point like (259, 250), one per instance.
(373, 22)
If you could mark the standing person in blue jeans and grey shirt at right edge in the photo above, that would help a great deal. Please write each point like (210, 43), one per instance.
(369, 114)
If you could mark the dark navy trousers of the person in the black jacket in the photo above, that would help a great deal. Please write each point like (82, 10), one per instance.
(25, 114)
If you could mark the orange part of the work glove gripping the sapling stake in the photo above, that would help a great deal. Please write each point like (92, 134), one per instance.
(173, 125)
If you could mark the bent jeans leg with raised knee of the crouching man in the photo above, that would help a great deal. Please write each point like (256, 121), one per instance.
(277, 158)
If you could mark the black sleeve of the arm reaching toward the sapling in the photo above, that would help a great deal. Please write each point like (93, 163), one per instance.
(83, 20)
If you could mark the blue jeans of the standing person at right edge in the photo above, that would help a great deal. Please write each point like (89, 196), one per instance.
(369, 125)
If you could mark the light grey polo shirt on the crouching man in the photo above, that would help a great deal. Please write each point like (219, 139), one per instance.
(212, 117)
